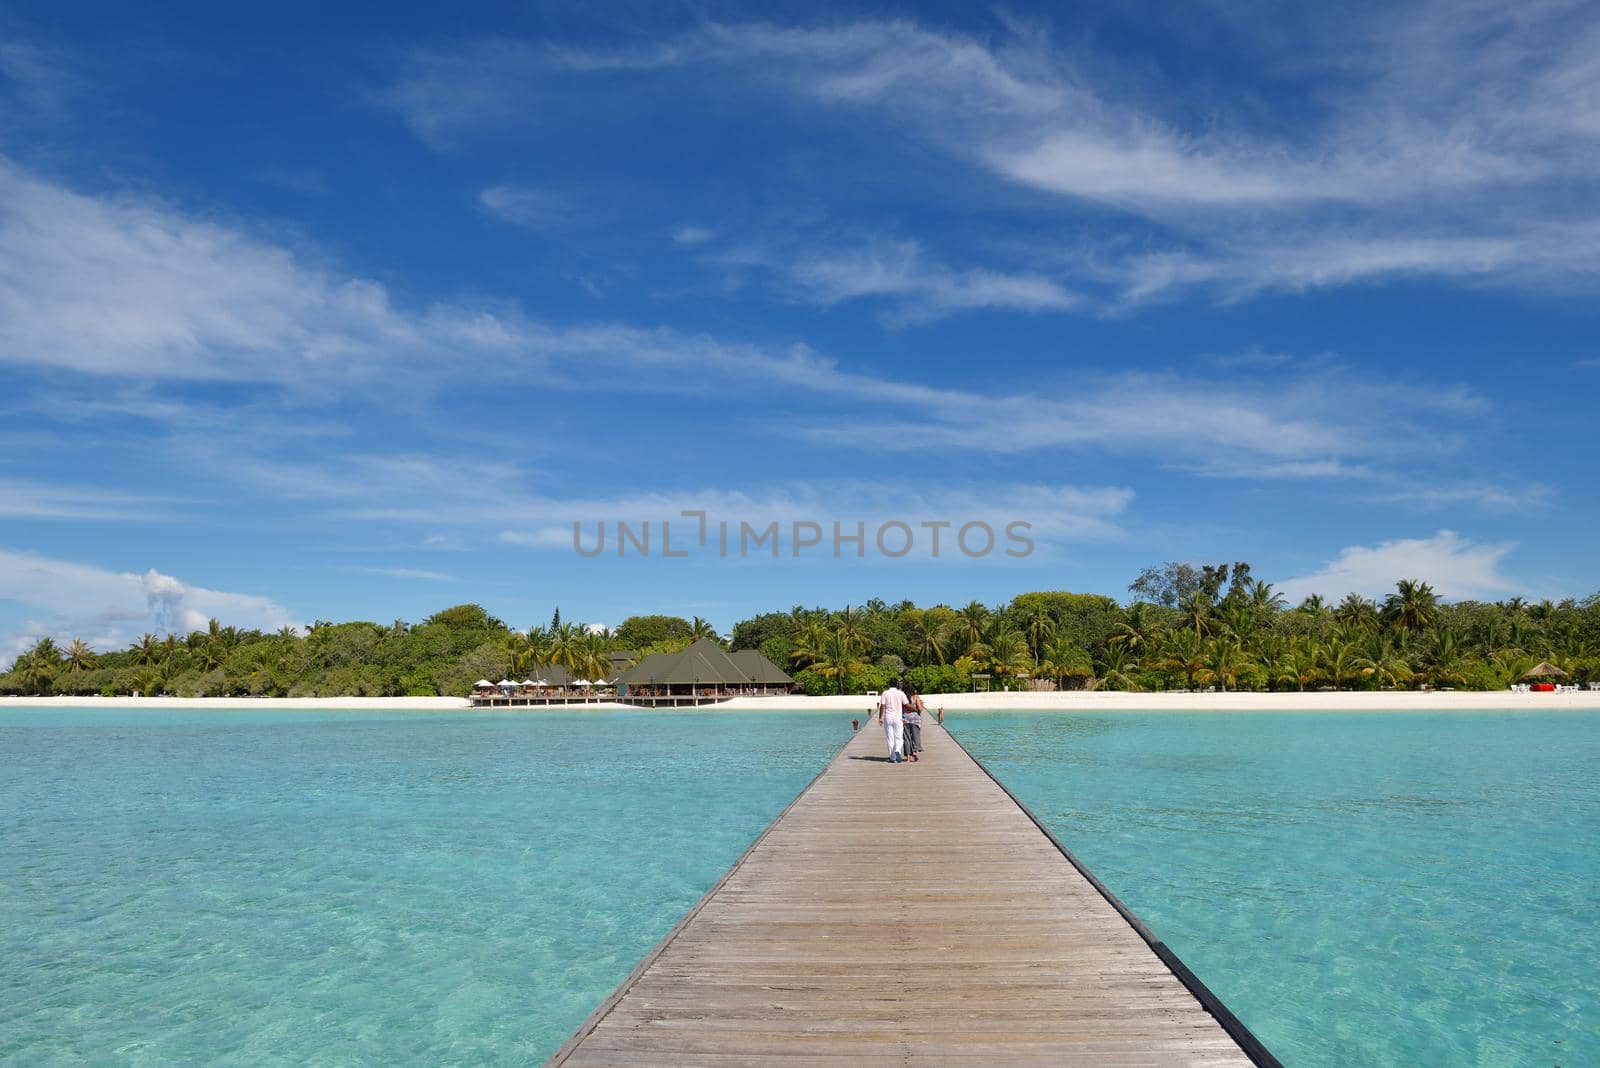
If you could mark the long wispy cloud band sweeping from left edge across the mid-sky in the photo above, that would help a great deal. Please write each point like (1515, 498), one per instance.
(134, 292)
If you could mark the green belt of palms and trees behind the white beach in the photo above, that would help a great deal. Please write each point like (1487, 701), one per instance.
(1231, 632)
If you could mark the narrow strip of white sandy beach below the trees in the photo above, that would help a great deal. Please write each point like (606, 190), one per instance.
(1076, 701)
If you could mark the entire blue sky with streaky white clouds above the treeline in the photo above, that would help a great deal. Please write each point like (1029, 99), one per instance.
(310, 316)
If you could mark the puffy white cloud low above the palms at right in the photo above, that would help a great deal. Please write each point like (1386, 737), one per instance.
(1455, 567)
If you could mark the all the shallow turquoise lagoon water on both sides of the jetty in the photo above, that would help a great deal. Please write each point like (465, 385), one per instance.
(463, 888)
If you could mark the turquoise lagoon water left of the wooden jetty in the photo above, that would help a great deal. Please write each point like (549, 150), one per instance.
(358, 888)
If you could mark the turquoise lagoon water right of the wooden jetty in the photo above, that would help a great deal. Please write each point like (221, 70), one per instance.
(1361, 890)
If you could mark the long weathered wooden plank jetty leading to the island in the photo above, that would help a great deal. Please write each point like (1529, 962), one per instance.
(910, 914)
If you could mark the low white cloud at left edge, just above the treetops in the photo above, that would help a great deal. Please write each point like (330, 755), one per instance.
(111, 608)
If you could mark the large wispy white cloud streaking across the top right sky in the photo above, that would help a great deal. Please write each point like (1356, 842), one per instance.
(1438, 140)
